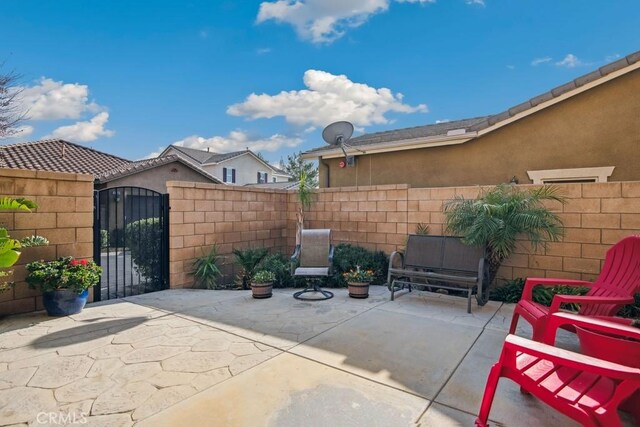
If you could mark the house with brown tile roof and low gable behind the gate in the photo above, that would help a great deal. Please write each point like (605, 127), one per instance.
(109, 170)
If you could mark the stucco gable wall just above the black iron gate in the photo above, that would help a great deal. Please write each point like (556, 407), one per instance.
(156, 178)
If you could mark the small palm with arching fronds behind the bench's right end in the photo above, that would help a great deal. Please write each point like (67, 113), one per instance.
(498, 217)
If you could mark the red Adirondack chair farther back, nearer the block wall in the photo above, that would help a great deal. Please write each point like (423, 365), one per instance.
(615, 287)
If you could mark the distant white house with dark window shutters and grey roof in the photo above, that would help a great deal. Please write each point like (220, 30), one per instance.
(239, 168)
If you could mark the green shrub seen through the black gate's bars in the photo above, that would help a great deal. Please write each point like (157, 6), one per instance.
(144, 239)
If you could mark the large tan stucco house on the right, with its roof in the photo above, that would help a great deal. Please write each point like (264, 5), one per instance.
(587, 130)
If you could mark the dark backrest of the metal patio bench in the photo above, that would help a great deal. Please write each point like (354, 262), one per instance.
(441, 253)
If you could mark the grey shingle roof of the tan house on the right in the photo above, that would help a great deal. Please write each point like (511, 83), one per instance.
(480, 123)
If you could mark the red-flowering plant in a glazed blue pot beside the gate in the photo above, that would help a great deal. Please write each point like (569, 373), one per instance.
(64, 283)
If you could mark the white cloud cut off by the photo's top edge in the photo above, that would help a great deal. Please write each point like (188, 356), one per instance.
(324, 21)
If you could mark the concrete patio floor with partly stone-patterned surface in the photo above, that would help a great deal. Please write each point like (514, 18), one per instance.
(221, 358)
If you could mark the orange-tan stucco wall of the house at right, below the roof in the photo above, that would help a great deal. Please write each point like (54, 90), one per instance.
(599, 127)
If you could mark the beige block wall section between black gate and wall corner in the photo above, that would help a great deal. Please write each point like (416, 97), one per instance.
(231, 217)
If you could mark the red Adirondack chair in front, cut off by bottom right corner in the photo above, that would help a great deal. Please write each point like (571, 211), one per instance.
(584, 388)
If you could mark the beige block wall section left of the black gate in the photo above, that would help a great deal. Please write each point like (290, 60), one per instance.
(64, 216)
